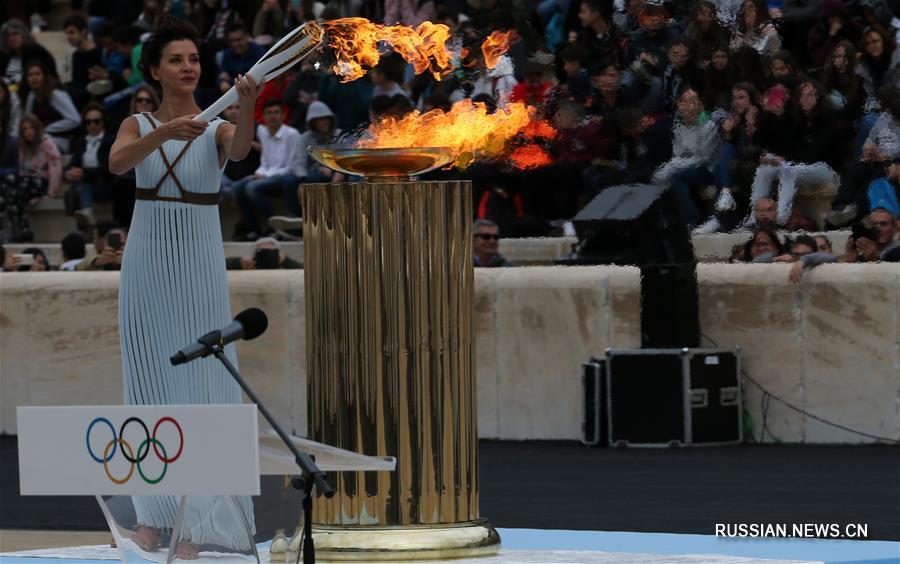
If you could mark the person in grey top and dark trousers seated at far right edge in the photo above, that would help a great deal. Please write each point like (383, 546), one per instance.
(881, 146)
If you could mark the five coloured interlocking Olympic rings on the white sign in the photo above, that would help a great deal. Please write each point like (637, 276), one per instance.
(143, 450)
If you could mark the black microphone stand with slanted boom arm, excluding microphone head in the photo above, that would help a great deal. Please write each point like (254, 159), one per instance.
(312, 477)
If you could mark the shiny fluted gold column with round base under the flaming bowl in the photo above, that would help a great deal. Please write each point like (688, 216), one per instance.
(391, 368)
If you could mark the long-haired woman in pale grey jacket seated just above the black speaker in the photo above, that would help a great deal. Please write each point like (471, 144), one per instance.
(694, 153)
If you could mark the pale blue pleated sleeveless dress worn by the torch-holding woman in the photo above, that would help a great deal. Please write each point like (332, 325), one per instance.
(173, 289)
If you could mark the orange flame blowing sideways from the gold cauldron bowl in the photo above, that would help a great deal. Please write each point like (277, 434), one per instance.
(468, 130)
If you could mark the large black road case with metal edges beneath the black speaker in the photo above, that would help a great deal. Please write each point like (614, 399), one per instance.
(663, 397)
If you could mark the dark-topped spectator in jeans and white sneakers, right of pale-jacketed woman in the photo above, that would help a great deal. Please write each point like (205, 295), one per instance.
(738, 158)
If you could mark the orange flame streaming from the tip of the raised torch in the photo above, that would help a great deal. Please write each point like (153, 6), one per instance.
(355, 45)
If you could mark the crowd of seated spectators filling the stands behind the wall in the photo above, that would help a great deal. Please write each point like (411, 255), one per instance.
(754, 98)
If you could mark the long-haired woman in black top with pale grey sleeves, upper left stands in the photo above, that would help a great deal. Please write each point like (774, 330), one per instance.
(41, 96)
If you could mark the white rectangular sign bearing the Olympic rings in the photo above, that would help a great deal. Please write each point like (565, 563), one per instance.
(139, 450)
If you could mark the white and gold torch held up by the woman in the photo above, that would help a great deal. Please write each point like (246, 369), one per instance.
(283, 55)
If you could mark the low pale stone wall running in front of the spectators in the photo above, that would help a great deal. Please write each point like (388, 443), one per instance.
(830, 345)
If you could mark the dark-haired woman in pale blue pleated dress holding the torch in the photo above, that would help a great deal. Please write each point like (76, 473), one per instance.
(173, 284)
